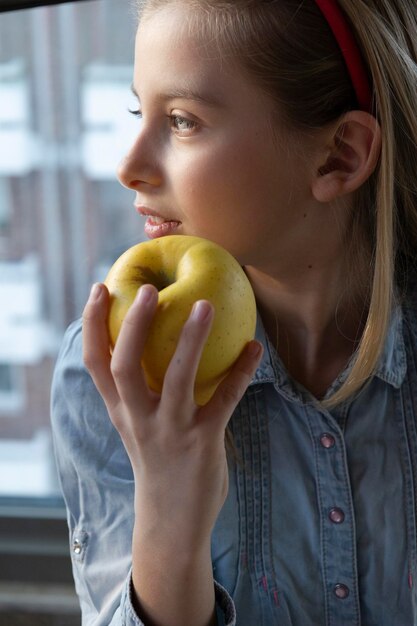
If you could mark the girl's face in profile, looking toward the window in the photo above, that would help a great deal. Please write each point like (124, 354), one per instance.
(206, 160)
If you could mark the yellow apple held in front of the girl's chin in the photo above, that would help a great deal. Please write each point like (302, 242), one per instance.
(185, 269)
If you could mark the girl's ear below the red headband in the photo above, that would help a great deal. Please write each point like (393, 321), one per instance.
(350, 157)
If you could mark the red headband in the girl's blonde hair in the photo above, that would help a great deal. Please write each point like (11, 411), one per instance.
(350, 50)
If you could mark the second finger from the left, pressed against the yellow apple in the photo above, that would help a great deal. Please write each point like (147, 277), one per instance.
(126, 360)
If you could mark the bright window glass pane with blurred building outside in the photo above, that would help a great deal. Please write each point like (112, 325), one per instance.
(65, 75)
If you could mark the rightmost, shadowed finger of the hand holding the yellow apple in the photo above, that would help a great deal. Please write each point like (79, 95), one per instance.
(233, 387)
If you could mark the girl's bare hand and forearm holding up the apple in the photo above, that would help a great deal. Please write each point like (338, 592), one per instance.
(177, 452)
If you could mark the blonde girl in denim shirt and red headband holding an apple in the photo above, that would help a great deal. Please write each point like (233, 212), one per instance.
(285, 131)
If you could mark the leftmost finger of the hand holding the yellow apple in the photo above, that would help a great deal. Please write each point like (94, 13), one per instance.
(96, 353)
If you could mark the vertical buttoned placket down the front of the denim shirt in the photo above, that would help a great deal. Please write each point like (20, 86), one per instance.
(337, 519)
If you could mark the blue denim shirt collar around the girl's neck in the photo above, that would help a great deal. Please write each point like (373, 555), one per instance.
(391, 368)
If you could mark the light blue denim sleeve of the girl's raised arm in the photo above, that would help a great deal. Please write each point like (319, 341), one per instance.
(97, 484)
